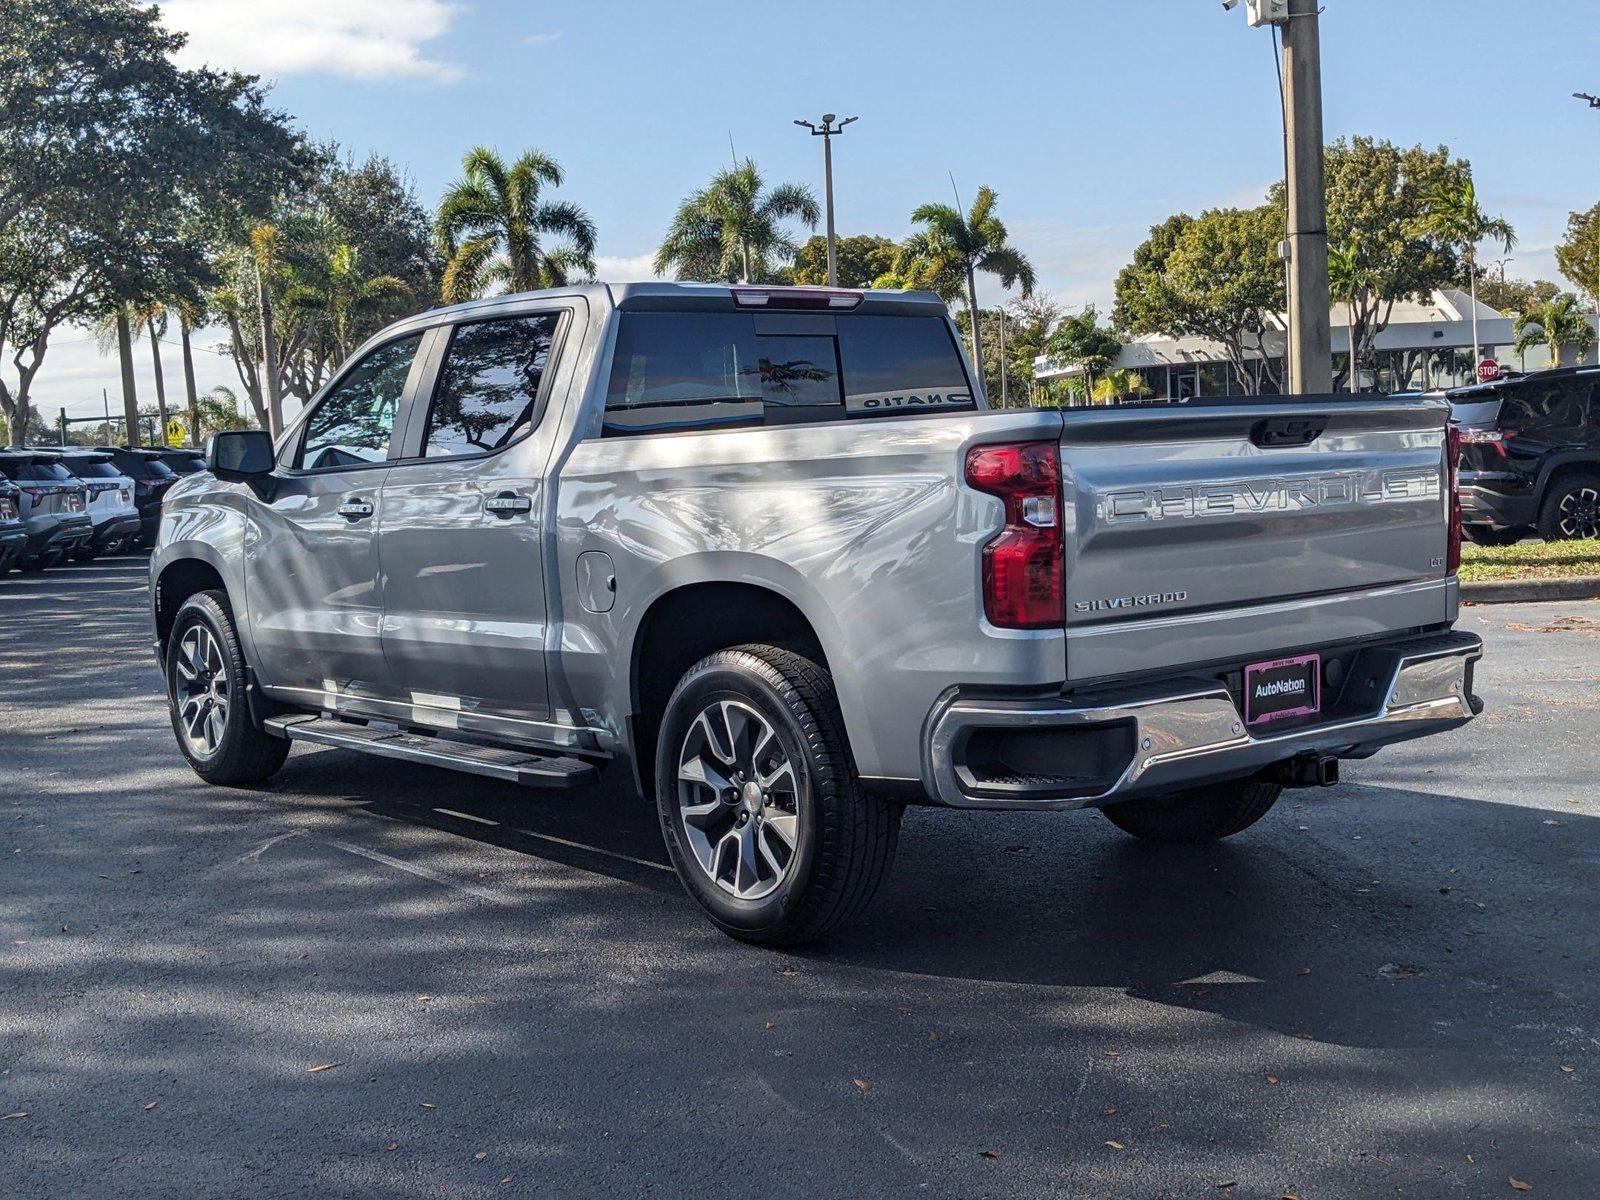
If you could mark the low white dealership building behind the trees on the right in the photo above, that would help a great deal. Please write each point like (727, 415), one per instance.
(1426, 346)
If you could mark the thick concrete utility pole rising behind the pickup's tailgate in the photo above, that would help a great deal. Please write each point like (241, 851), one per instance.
(1311, 342)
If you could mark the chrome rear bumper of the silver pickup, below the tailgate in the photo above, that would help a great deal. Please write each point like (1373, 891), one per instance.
(1162, 738)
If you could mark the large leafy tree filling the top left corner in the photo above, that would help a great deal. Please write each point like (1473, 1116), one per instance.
(106, 153)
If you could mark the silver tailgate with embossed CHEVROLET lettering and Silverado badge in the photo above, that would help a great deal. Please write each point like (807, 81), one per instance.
(1223, 532)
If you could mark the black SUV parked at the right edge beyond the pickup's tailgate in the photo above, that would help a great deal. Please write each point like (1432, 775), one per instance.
(1530, 457)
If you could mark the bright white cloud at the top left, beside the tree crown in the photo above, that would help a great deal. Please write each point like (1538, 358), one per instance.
(364, 39)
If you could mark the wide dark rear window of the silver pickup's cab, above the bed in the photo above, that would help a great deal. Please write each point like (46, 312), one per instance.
(708, 370)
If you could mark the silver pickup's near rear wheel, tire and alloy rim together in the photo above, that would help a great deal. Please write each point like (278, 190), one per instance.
(764, 817)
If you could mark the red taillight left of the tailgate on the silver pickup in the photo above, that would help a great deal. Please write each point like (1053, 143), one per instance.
(1025, 564)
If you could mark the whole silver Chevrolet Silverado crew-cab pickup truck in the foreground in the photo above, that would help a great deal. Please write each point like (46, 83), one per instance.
(769, 551)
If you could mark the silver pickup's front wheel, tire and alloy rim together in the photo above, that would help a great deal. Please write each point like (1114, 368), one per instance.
(206, 674)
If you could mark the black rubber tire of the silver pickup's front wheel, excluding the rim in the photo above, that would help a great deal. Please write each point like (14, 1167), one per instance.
(244, 754)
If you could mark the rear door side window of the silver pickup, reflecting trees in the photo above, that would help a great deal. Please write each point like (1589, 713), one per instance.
(489, 388)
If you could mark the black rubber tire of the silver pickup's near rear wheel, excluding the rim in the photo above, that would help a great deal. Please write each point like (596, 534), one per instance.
(846, 838)
